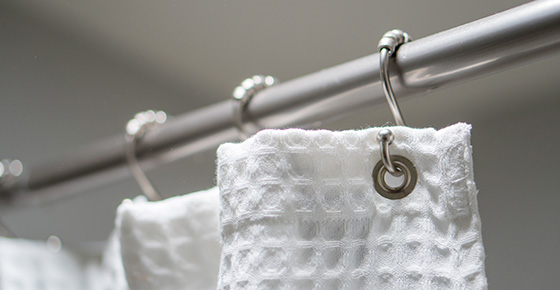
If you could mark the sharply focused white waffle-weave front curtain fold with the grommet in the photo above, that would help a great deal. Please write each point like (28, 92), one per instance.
(299, 211)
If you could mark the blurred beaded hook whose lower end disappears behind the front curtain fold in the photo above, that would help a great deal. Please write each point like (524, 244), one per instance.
(242, 96)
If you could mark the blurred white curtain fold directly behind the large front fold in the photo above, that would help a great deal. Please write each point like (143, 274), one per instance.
(171, 244)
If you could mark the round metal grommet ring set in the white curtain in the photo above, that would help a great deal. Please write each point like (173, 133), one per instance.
(403, 165)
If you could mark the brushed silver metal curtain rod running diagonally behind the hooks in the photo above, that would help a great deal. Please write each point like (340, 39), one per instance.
(483, 47)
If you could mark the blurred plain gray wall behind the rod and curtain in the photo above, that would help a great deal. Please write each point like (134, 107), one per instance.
(62, 87)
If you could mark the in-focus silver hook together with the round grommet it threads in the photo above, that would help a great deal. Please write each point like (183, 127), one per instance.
(396, 165)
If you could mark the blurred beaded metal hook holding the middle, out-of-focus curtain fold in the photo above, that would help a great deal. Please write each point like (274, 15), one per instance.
(136, 129)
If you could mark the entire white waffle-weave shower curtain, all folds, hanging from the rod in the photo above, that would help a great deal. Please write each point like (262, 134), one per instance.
(297, 210)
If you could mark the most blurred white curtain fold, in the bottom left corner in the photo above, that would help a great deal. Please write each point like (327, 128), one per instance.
(30, 265)
